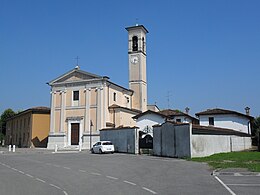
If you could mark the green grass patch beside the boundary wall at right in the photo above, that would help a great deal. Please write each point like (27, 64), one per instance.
(249, 160)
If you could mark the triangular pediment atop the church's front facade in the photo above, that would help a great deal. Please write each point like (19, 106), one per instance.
(75, 75)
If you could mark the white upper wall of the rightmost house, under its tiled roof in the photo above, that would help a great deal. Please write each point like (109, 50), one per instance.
(227, 121)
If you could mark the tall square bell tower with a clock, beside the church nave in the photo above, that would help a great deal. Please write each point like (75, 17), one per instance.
(137, 66)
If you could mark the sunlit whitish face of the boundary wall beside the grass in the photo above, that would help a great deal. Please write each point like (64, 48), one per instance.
(206, 145)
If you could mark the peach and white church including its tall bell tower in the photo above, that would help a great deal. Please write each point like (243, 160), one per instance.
(82, 103)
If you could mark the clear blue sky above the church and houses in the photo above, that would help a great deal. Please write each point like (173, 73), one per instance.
(203, 54)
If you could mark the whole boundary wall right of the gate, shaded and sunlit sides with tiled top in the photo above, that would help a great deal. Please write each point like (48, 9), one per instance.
(187, 140)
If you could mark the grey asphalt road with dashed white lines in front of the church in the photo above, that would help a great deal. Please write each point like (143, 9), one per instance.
(115, 174)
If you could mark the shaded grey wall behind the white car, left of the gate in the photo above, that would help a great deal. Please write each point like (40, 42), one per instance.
(124, 139)
